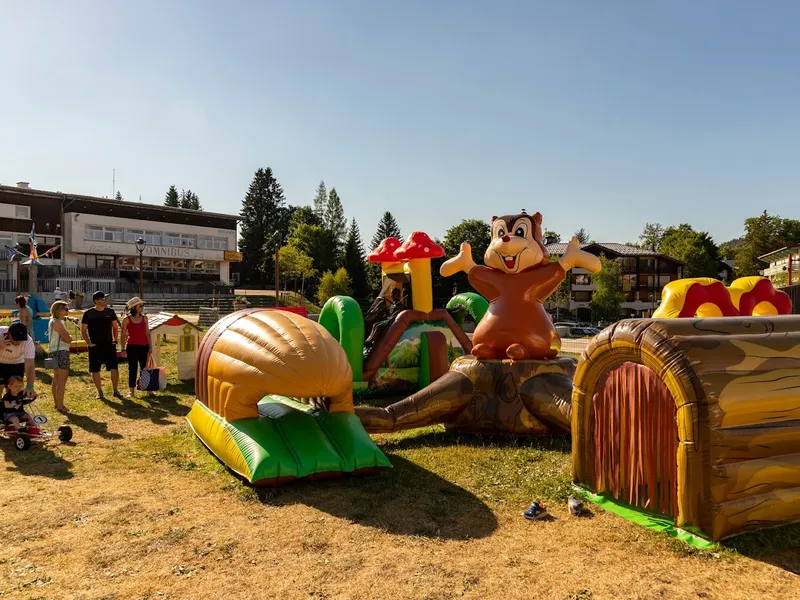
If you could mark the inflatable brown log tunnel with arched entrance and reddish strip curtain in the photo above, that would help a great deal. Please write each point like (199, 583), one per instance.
(695, 419)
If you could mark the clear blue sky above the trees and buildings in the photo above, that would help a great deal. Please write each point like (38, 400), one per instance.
(601, 115)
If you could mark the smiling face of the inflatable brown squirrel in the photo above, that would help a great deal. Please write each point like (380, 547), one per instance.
(514, 246)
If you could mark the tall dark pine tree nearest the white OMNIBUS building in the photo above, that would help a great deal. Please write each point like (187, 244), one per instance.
(263, 213)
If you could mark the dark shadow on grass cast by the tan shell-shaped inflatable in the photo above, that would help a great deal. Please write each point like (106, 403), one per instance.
(405, 500)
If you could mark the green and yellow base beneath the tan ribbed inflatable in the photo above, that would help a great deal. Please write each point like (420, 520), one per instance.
(290, 440)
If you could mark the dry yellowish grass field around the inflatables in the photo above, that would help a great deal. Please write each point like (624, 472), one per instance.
(136, 508)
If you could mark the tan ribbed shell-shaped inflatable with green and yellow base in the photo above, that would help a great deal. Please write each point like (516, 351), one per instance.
(262, 379)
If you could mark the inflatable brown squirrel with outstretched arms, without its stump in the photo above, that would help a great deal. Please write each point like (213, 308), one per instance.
(517, 278)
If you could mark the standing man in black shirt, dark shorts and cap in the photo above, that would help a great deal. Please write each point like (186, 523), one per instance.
(100, 329)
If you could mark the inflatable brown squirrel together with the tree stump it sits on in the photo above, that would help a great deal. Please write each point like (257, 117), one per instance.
(513, 383)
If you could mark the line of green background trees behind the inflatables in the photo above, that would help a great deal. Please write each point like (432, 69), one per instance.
(320, 254)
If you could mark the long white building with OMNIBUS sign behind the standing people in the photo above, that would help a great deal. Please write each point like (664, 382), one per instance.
(185, 251)
